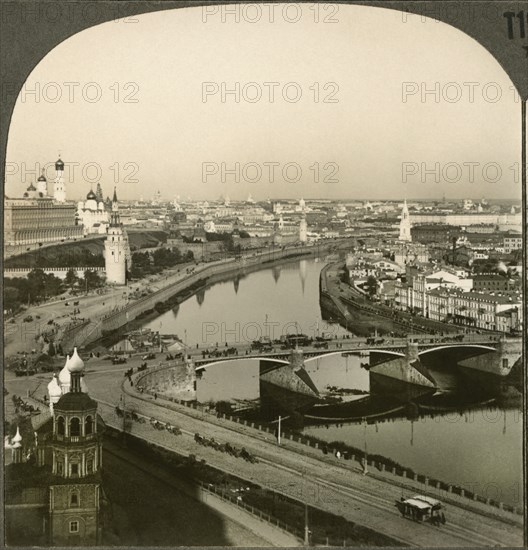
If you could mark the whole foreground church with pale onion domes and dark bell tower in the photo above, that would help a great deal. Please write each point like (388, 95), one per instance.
(53, 490)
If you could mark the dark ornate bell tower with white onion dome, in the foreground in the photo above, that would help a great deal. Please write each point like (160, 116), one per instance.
(77, 456)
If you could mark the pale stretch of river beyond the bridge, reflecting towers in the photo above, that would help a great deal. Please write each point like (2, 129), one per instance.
(234, 313)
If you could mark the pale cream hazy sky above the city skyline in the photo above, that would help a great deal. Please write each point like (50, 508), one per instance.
(350, 115)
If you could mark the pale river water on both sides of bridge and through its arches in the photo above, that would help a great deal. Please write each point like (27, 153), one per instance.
(480, 449)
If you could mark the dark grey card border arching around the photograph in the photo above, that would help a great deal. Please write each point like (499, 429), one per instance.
(26, 37)
